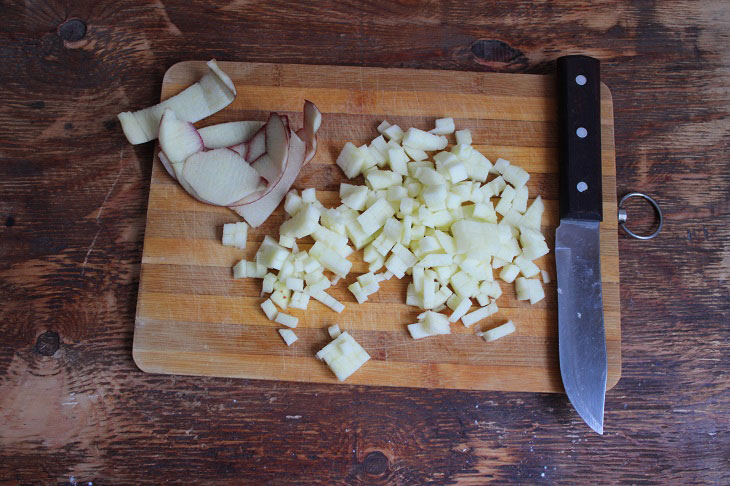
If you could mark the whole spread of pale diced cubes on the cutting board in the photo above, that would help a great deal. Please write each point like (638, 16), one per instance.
(447, 217)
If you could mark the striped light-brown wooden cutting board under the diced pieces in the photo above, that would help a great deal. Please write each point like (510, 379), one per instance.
(193, 318)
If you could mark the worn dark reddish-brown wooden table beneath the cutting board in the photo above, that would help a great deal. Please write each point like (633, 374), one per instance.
(73, 195)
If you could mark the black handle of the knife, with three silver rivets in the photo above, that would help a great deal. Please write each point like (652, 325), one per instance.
(579, 134)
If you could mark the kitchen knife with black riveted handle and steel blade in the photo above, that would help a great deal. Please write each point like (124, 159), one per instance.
(581, 334)
